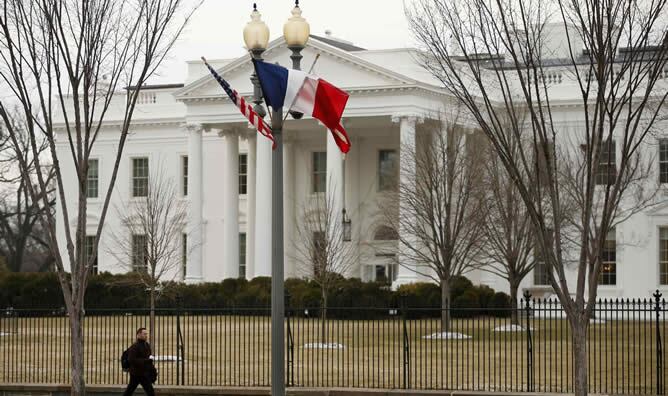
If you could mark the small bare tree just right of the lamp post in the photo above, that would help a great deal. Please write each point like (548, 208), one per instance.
(321, 252)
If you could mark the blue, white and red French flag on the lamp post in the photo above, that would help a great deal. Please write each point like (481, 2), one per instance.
(308, 94)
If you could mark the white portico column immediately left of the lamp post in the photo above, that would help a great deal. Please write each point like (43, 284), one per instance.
(263, 209)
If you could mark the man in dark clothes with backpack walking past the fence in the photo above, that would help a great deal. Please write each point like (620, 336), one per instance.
(142, 371)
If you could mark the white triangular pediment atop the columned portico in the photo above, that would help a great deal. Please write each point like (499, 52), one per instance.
(339, 67)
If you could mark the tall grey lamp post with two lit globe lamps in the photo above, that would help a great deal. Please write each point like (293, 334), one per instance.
(256, 36)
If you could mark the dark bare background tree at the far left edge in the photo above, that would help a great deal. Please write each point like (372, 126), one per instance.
(22, 240)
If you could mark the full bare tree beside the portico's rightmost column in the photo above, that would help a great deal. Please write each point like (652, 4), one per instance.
(439, 210)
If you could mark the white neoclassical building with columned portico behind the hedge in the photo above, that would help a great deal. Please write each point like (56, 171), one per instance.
(222, 167)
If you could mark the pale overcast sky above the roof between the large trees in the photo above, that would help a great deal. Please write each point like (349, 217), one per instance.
(215, 30)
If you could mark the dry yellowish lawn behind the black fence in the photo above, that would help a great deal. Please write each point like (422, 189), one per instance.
(235, 350)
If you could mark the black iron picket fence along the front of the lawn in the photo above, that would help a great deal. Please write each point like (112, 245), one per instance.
(396, 347)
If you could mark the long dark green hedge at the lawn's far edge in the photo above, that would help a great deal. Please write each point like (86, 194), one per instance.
(361, 299)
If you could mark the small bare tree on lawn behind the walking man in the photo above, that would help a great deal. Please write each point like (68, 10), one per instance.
(149, 242)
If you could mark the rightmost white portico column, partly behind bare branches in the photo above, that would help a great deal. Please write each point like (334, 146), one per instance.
(406, 178)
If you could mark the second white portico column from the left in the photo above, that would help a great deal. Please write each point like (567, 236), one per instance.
(231, 205)
